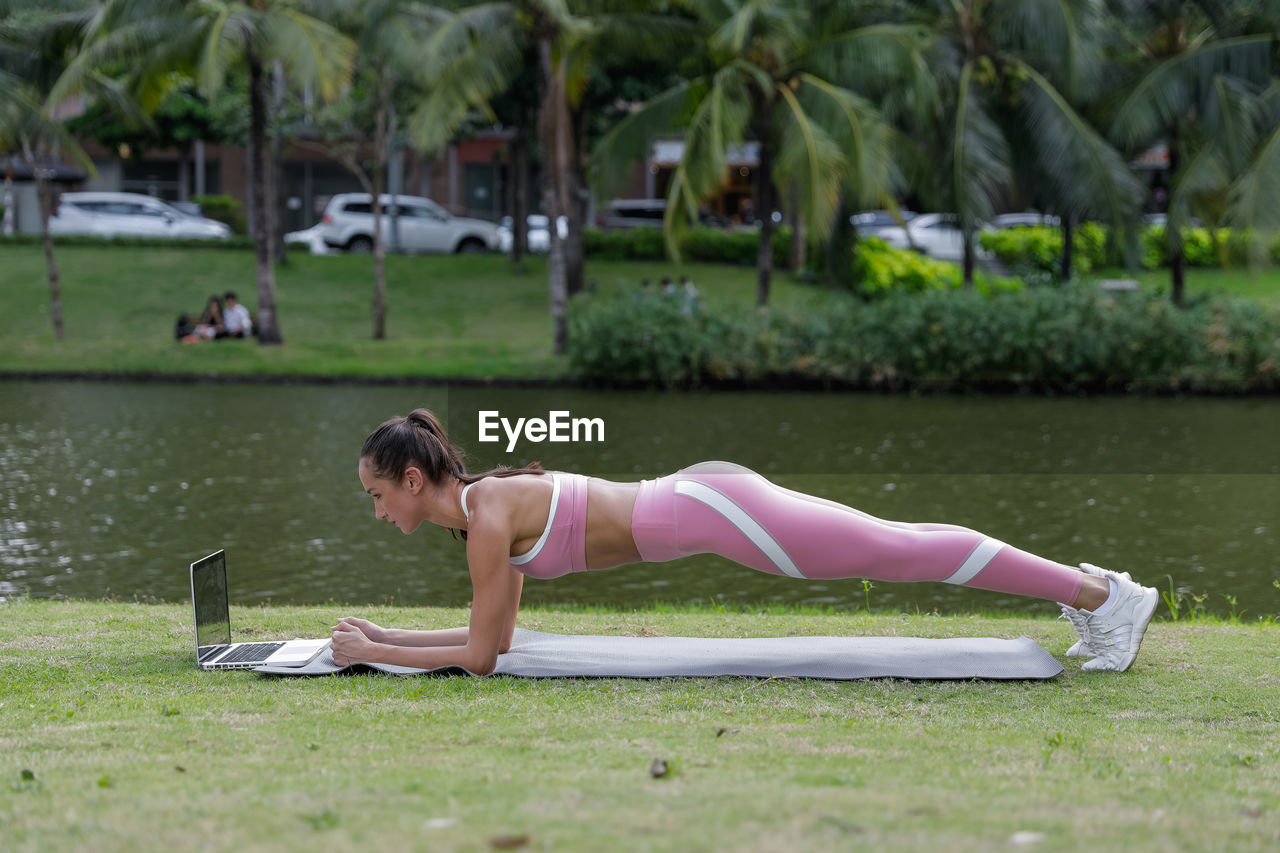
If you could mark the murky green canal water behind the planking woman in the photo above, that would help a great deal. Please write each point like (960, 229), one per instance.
(113, 490)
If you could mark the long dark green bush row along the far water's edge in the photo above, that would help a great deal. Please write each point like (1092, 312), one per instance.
(1062, 340)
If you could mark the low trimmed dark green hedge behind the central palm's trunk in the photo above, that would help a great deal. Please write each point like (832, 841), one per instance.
(707, 245)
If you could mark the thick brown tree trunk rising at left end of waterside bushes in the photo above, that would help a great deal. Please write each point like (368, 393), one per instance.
(554, 189)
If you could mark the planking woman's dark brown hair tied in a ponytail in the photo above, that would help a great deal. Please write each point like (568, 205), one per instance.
(419, 440)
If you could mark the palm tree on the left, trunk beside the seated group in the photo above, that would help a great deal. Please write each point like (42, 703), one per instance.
(209, 39)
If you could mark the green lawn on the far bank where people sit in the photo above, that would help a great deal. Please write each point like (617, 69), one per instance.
(449, 316)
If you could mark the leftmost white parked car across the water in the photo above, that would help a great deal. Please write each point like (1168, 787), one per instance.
(129, 215)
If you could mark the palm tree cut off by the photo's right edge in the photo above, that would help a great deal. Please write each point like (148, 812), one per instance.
(1205, 84)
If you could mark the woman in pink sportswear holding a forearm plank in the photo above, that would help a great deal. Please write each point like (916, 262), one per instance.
(543, 524)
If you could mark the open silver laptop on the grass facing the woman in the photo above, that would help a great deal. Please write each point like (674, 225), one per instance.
(214, 646)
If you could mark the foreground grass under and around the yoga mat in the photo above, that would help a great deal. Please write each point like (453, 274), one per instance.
(112, 741)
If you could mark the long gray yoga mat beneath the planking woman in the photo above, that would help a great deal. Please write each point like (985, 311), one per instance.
(537, 655)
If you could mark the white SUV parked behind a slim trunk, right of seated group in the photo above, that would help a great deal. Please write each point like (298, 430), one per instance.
(424, 226)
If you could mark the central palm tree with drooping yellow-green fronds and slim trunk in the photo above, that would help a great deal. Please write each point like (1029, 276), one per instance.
(769, 74)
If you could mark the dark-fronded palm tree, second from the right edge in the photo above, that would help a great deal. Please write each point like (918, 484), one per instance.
(1002, 116)
